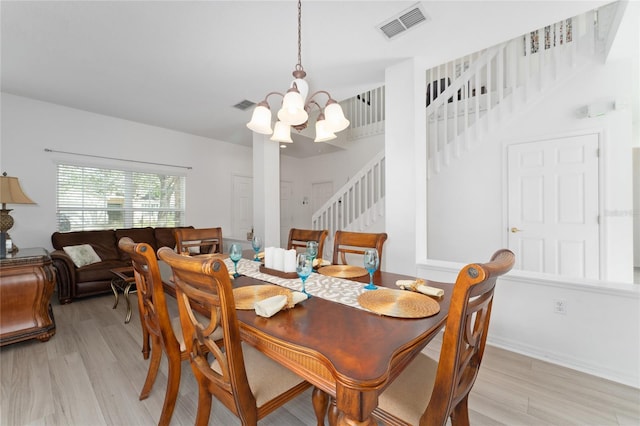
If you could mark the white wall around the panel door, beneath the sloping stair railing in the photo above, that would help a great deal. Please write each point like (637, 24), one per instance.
(476, 178)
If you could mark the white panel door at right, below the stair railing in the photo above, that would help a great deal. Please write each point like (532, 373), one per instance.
(553, 206)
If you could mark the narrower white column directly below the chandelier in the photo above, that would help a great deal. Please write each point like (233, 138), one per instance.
(266, 189)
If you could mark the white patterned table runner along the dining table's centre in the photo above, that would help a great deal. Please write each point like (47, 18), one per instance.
(331, 288)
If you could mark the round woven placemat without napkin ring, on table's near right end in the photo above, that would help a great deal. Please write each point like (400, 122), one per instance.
(399, 303)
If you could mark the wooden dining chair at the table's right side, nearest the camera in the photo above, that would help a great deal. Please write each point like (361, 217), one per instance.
(428, 392)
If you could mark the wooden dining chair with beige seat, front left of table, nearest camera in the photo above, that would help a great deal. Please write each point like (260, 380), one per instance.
(247, 382)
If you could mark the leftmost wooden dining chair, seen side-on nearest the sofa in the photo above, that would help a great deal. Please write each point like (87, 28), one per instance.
(158, 324)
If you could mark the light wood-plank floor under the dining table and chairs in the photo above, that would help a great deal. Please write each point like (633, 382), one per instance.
(91, 372)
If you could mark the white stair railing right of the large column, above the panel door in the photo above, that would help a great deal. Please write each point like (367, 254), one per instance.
(471, 97)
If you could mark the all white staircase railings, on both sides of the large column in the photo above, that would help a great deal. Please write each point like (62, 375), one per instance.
(467, 101)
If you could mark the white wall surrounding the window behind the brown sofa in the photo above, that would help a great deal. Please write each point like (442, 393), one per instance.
(29, 126)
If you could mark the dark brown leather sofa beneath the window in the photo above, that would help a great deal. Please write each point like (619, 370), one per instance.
(93, 279)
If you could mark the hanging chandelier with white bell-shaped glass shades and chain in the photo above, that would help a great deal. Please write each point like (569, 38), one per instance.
(295, 108)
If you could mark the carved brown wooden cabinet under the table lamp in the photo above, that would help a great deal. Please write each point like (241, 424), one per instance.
(27, 280)
